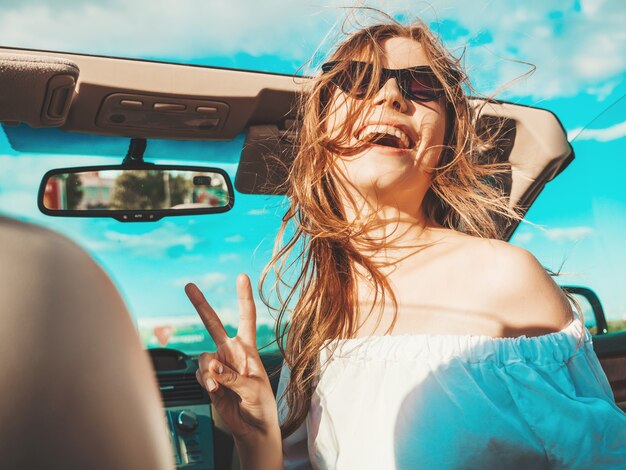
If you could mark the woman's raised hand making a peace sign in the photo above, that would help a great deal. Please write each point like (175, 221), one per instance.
(234, 375)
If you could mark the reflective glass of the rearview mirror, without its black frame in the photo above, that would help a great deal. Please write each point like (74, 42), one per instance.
(133, 189)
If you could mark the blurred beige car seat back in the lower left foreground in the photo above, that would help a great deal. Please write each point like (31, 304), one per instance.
(78, 389)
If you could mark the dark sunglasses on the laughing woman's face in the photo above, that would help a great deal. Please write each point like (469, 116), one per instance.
(416, 83)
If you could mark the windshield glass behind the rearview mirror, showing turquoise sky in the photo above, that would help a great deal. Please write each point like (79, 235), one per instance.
(151, 262)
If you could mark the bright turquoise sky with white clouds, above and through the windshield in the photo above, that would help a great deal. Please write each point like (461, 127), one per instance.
(577, 48)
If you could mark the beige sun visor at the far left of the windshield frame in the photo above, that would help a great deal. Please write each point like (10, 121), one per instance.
(36, 89)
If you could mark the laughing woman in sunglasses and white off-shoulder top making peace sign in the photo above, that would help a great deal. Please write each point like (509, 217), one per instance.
(388, 194)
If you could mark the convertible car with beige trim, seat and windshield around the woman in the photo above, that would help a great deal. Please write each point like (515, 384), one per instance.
(166, 174)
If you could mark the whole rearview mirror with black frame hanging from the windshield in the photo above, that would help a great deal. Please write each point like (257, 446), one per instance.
(138, 193)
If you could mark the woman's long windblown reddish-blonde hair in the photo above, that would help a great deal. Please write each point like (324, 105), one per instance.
(466, 195)
